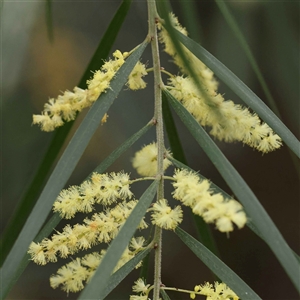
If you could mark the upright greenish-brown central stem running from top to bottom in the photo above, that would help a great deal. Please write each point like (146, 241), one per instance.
(152, 16)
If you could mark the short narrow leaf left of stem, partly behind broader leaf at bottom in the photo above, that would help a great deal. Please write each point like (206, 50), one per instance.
(118, 276)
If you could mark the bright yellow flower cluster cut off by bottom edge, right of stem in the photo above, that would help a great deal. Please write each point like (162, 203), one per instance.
(220, 291)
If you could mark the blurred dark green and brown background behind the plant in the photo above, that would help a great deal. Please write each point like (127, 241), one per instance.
(35, 68)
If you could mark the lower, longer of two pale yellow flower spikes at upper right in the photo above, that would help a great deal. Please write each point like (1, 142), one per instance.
(228, 121)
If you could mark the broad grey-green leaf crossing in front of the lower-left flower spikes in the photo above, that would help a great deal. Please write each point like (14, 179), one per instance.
(97, 286)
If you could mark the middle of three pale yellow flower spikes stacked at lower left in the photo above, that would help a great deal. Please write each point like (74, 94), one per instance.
(101, 228)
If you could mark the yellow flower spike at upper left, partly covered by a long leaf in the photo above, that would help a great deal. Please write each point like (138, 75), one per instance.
(65, 107)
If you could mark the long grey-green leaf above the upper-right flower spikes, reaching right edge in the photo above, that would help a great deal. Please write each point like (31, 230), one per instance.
(239, 88)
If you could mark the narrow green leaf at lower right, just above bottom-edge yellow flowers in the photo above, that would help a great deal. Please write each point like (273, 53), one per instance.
(217, 266)
